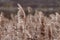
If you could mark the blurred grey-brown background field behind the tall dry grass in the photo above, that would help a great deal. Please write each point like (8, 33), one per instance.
(10, 6)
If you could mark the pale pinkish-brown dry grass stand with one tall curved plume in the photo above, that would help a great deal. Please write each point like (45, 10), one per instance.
(30, 27)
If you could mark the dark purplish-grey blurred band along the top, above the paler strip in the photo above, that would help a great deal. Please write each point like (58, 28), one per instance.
(33, 3)
